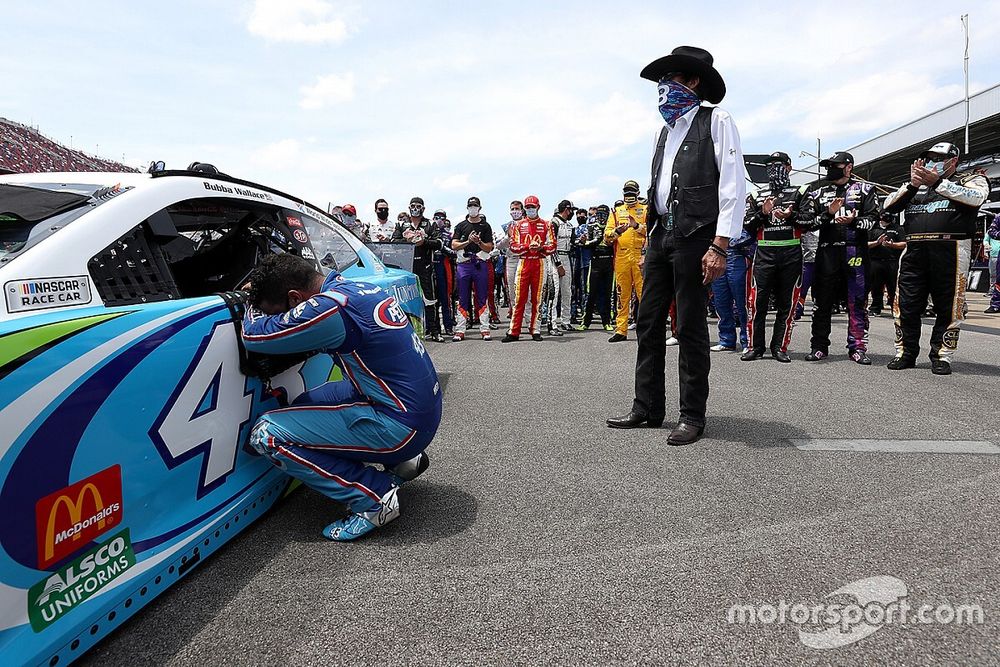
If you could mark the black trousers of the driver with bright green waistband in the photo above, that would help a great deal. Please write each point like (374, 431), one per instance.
(777, 270)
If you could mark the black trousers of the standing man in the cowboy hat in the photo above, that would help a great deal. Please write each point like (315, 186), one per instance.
(672, 271)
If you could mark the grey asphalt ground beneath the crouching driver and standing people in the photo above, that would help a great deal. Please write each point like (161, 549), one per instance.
(541, 536)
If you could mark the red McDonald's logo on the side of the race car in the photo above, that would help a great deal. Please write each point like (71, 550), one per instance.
(67, 520)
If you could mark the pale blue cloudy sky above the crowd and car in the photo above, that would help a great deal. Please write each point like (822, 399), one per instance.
(345, 102)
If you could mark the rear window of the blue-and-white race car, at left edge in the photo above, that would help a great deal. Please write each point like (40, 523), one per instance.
(30, 212)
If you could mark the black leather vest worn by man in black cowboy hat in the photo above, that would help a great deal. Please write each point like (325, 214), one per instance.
(695, 188)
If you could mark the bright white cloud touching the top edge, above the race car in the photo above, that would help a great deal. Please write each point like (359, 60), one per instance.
(308, 21)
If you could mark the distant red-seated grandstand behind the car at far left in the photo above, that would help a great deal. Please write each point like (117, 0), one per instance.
(23, 149)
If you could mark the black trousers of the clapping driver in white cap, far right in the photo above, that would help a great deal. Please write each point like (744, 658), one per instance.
(937, 269)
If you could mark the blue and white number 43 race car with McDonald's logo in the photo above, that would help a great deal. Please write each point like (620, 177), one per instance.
(124, 408)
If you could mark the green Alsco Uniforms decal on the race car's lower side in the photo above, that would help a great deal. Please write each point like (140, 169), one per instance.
(70, 586)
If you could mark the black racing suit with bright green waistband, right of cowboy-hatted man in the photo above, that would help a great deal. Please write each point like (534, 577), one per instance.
(777, 266)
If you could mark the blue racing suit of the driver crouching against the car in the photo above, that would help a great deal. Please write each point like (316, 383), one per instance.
(386, 411)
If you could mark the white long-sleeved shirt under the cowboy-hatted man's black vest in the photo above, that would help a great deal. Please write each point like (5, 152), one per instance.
(729, 160)
